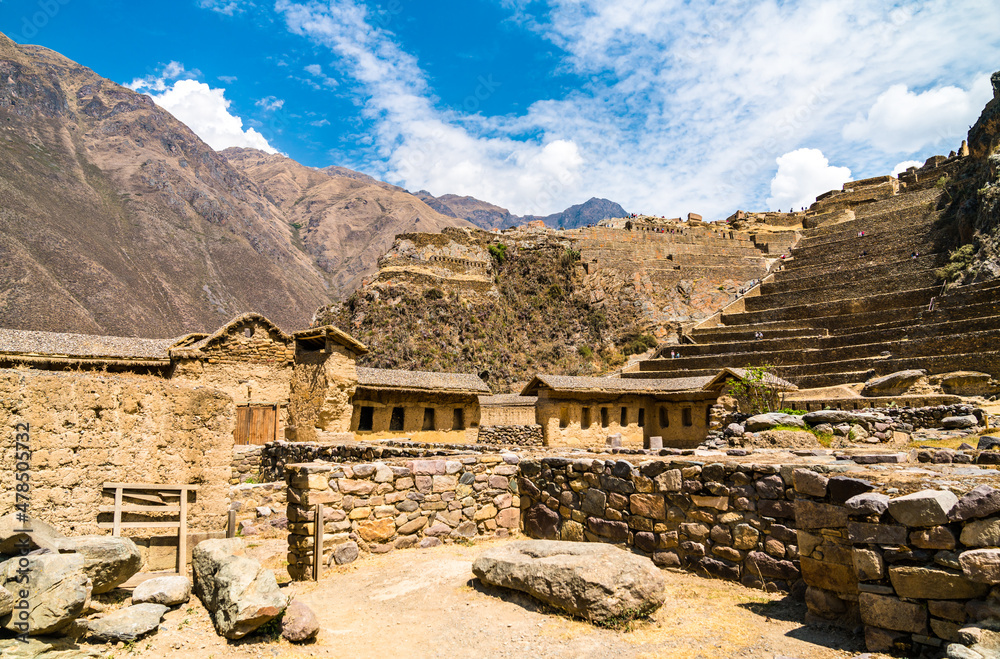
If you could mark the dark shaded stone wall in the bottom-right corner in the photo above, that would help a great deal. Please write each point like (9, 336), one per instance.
(919, 571)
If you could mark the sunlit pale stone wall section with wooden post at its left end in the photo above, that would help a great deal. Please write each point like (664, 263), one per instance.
(379, 507)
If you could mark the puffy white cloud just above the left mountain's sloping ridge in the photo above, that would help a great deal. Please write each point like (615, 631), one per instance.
(204, 110)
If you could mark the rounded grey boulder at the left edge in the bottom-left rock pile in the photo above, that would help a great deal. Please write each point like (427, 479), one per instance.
(59, 589)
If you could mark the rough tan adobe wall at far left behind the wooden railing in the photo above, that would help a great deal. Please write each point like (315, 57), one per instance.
(87, 429)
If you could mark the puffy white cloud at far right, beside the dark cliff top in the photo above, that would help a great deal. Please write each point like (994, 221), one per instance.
(902, 121)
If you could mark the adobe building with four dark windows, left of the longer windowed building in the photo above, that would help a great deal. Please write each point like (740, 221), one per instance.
(422, 406)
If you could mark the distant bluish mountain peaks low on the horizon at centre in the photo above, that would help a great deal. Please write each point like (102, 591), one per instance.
(489, 216)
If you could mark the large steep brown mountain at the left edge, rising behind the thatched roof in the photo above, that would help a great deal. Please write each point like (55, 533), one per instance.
(115, 218)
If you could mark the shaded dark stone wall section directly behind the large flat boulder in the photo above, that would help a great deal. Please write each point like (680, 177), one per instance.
(726, 520)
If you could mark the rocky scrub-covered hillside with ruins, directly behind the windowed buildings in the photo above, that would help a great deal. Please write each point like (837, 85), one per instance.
(527, 301)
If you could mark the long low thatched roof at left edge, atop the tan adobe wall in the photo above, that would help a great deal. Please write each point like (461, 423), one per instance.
(55, 346)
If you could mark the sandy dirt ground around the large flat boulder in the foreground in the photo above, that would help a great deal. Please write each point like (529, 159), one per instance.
(425, 603)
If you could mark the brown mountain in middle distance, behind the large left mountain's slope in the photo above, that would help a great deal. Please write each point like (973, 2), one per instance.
(345, 220)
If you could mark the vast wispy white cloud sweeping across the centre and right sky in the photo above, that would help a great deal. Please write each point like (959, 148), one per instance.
(681, 106)
